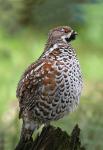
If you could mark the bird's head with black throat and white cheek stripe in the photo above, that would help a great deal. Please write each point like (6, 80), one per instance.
(64, 33)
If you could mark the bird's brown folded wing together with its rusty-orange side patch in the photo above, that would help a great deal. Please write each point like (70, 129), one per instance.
(36, 83)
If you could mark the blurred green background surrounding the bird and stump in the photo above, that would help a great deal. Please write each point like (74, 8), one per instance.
(24, 25)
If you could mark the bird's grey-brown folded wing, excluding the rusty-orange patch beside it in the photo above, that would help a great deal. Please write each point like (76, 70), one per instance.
(28, 86)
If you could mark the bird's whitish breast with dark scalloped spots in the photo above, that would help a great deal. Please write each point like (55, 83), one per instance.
(69, 82)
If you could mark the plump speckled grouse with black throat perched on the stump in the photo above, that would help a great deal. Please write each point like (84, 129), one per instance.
(50, 87)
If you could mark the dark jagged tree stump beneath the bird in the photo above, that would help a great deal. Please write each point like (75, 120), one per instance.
(52, 138)
